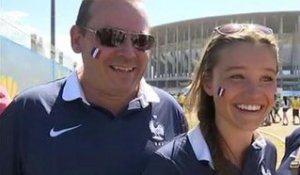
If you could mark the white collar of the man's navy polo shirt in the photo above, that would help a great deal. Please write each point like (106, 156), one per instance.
(73, 90)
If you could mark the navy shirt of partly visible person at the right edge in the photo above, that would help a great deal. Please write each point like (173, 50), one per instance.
(292, 144)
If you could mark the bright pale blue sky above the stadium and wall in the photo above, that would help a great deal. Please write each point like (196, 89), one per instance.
(33, 16)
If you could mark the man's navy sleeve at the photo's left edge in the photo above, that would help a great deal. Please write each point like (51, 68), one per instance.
(9, 144)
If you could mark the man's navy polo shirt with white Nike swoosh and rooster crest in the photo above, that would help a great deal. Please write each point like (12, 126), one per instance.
(53, 130)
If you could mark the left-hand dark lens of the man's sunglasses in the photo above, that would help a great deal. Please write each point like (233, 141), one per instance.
(111, 37)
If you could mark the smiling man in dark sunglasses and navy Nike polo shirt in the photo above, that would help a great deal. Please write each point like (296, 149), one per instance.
(103, 119)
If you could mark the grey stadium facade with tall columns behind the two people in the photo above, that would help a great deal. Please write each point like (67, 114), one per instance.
(179, 47)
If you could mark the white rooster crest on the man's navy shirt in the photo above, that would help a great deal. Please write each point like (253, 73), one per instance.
(157, 130)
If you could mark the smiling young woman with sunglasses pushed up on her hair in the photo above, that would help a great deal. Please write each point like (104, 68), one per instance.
(232, 92)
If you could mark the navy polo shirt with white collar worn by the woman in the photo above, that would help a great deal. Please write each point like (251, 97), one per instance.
(189, 154)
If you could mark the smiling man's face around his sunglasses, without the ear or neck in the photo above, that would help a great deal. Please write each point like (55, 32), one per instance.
(116, 69)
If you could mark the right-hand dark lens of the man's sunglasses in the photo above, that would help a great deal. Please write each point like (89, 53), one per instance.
(143, 42)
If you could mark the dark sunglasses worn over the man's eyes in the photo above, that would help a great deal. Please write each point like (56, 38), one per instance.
(113, 37)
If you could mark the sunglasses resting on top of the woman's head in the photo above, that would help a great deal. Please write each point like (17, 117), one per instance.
(232, 28)
